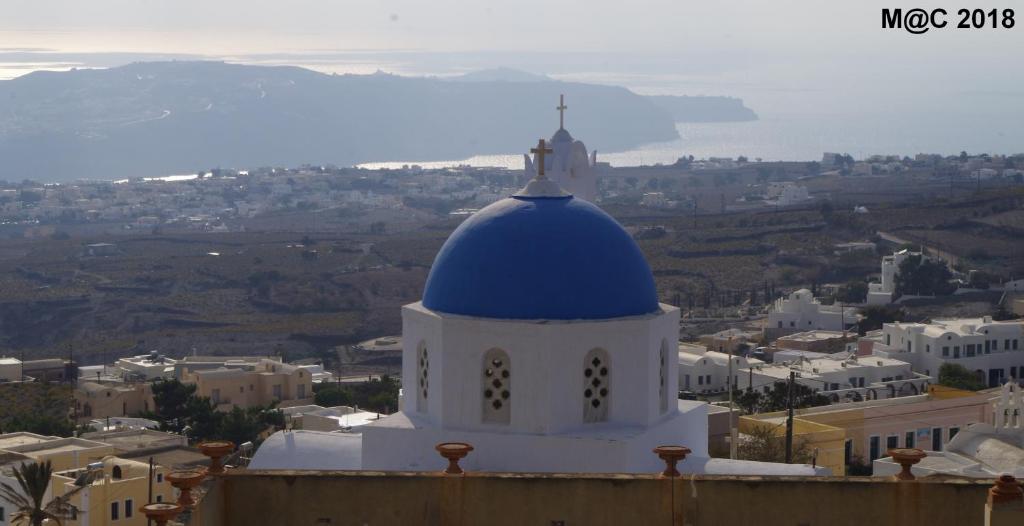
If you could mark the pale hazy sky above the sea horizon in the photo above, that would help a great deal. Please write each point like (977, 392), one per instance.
(804, 28)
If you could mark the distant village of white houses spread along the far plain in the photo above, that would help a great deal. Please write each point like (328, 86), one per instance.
(220, 200)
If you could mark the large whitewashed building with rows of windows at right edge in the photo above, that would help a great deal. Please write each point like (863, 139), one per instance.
(994, 350)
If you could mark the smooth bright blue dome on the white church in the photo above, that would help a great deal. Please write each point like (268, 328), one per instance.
(541, 258)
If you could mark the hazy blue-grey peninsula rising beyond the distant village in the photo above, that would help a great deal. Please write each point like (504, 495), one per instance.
(151, 119)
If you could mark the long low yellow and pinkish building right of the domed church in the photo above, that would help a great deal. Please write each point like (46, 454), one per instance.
(857, 433)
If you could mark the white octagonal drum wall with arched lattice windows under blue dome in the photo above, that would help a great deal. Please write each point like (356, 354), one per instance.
(550, 399)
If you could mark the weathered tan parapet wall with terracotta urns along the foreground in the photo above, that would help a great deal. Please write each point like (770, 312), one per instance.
(246, 498)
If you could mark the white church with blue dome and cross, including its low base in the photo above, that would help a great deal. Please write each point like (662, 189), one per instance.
(540, 340)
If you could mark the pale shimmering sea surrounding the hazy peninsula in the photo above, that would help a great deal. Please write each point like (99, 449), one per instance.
(798, 121)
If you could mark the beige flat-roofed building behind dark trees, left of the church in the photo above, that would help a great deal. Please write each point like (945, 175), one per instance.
(267, 382)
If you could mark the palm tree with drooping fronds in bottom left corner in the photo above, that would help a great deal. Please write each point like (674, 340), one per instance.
(33, 481)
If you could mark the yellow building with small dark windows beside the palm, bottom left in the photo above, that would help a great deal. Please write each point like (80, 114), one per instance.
(117, 488)
